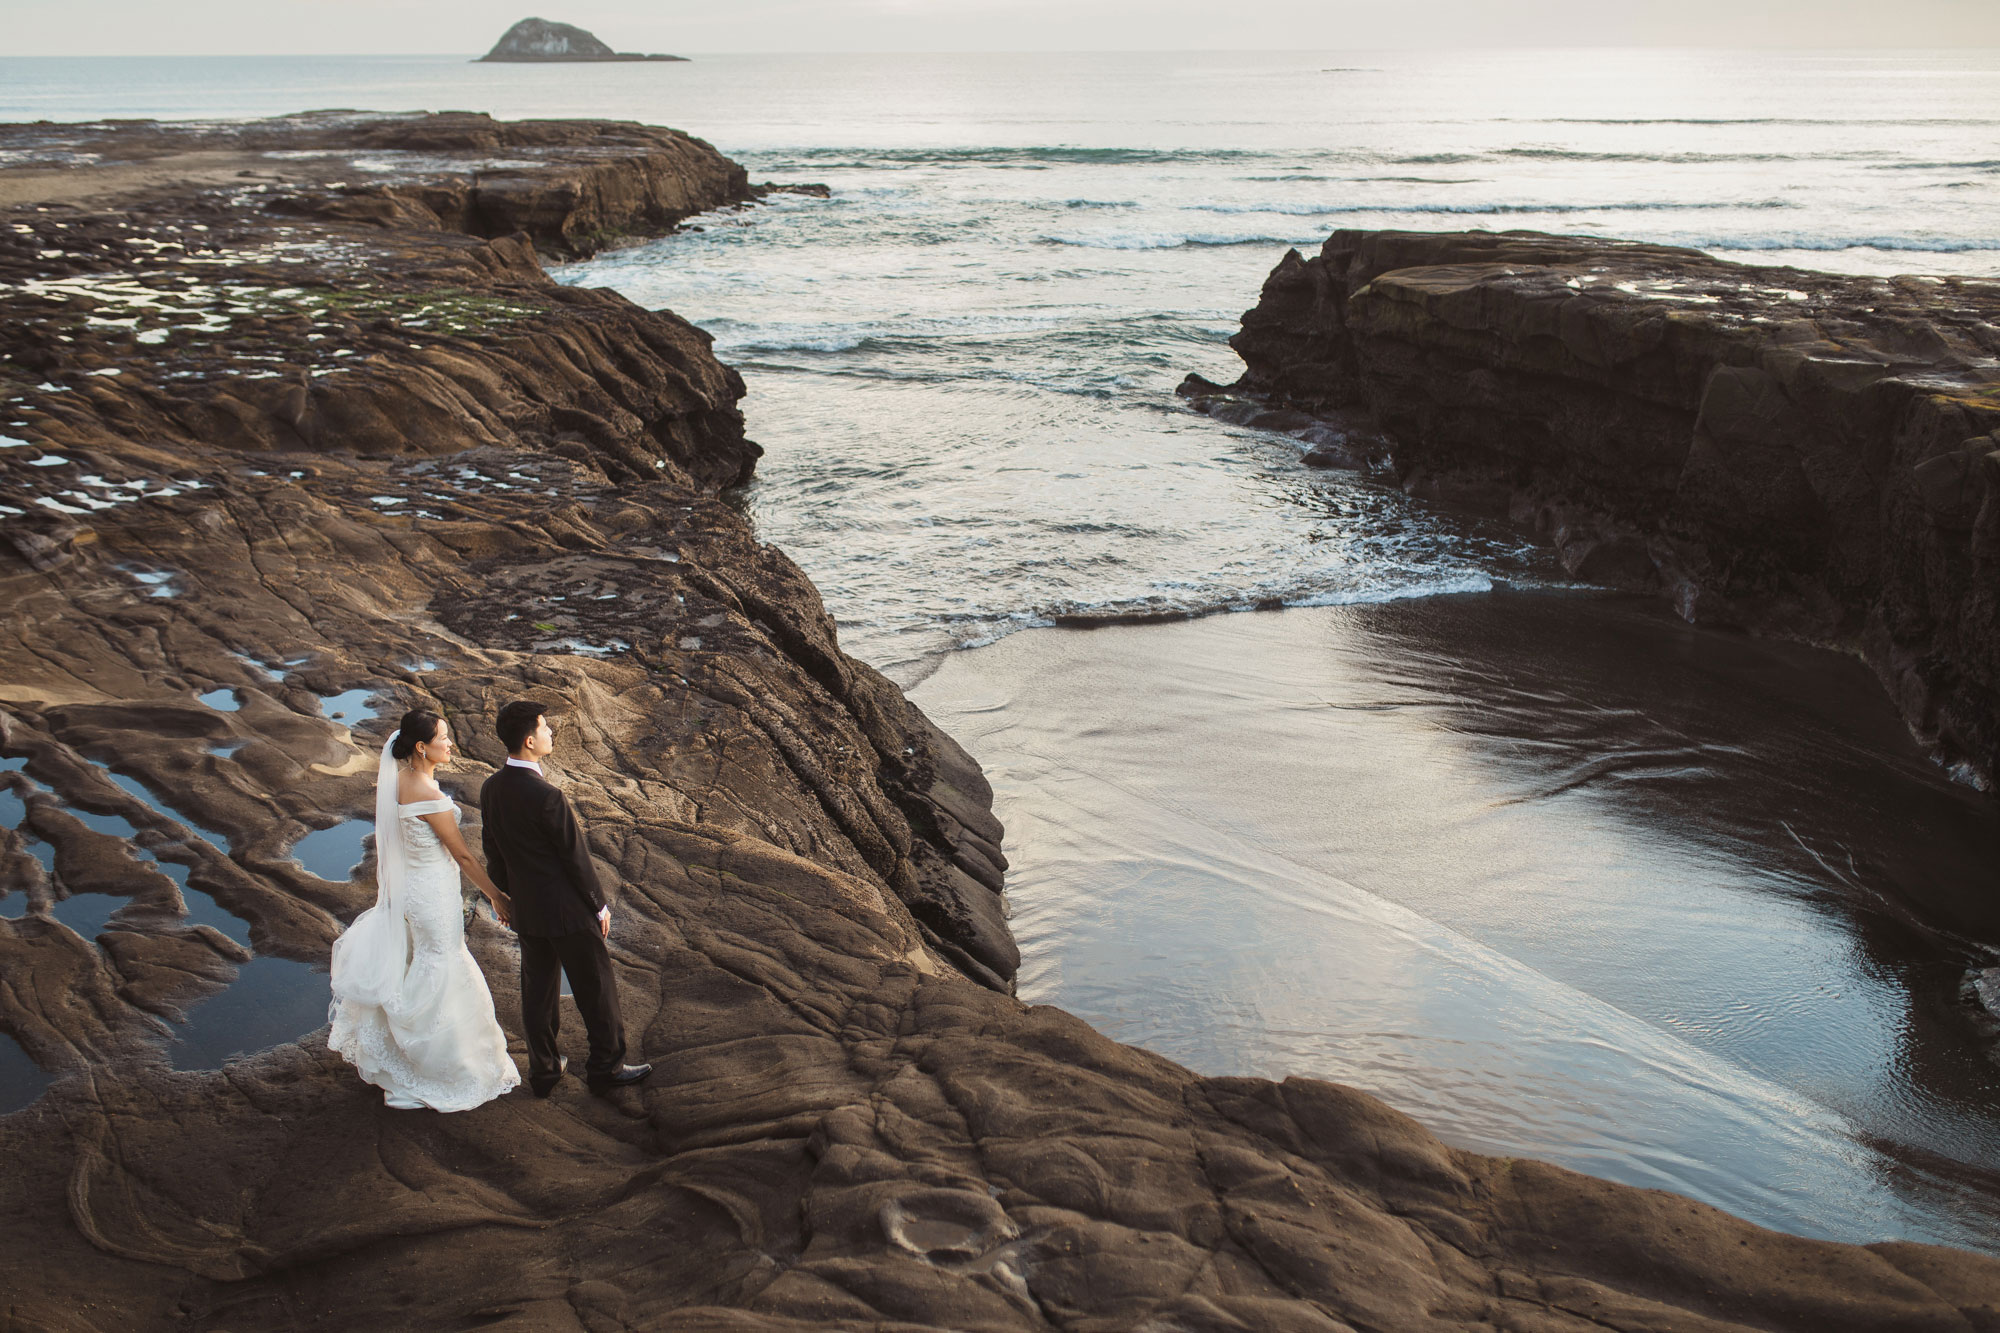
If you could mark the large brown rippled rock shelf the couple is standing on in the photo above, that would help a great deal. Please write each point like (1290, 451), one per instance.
(329, 431)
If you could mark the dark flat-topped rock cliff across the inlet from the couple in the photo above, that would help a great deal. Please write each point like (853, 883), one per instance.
(1785, 451)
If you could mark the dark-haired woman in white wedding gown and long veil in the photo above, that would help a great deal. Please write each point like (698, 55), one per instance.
(411, 1008)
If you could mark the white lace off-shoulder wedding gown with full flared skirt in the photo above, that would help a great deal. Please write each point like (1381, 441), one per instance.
(411, 1008)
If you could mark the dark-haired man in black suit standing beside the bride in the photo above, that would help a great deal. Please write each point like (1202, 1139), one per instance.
(537, 856)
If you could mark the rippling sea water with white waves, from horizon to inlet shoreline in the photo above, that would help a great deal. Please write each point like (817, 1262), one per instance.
(963, 361)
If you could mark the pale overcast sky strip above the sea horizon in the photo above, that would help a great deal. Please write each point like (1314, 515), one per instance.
(693, 27)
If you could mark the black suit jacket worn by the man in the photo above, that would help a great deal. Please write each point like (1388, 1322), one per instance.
(537, 856)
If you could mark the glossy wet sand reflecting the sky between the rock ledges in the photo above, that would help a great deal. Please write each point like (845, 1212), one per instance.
(1555, 874)
